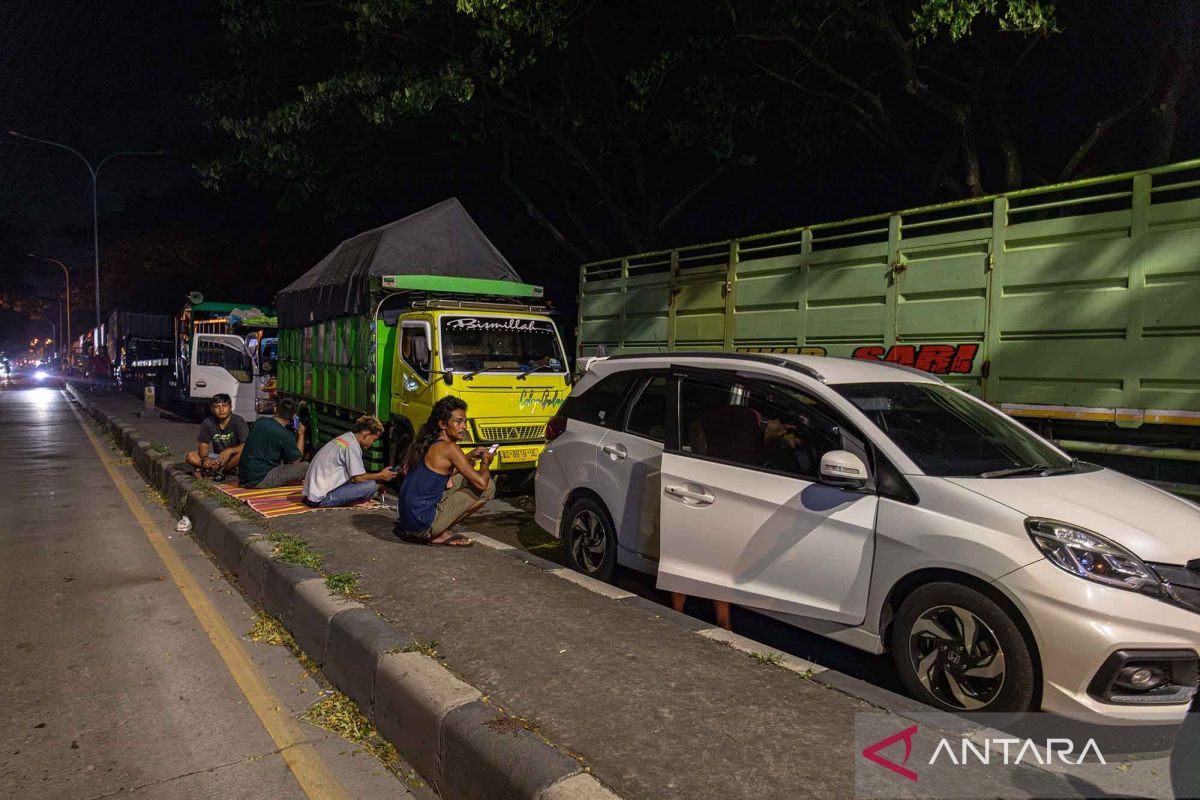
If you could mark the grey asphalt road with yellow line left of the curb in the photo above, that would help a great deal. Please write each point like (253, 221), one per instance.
(125, 663)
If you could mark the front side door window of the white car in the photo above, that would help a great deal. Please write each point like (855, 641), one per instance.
(757, 425)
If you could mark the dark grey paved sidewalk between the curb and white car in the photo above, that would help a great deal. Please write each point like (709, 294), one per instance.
(651, 708)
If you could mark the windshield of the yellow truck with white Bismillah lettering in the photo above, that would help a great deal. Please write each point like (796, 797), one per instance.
(501, 345)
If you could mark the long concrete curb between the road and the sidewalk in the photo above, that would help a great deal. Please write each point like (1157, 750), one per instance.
(460, 744)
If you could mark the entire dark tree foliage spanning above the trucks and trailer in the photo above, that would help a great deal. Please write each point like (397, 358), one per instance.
(610, 124)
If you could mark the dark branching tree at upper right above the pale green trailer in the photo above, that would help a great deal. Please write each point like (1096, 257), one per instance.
(955, 87)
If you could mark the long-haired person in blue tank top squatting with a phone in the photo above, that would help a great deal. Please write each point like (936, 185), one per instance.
(441, 488)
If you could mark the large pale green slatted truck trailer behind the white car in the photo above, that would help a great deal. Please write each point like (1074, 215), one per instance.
(1075, 308)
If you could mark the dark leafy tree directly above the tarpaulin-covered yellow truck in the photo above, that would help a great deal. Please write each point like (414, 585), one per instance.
(604, 123)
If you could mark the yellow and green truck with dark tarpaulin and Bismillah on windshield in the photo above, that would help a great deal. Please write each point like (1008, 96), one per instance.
(398, 318)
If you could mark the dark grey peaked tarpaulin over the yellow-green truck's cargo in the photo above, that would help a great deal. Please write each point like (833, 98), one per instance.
(441, 240)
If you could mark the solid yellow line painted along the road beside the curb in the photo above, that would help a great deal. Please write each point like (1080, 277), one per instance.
(307, 765)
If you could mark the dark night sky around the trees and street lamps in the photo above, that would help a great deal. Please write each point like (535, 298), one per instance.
(122, 76)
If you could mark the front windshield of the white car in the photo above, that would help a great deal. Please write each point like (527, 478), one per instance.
(950, 435)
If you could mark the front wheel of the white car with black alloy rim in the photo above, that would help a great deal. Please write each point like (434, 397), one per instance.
(958, 651)
